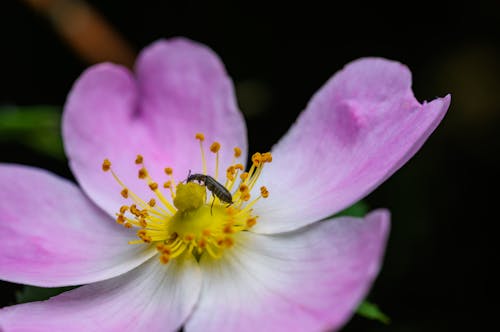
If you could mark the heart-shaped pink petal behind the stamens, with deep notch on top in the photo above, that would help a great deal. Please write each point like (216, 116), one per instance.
(181, 89)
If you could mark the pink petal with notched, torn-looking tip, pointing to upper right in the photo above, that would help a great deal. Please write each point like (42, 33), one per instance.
(358, 129)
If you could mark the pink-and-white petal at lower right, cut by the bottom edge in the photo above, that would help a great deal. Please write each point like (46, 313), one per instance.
(311, 279)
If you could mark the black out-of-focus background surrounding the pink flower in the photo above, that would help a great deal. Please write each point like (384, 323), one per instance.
(438, 273)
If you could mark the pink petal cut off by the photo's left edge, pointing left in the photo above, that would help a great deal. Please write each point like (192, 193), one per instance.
(52, 235)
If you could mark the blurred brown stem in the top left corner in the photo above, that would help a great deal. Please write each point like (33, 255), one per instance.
(86, 31)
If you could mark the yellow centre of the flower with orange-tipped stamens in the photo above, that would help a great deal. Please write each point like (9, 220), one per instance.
(182, 218)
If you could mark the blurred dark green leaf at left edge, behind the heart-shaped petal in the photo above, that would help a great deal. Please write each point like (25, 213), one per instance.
(37, 127)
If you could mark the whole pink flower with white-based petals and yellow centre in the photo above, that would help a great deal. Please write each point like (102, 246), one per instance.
(267, 262)
